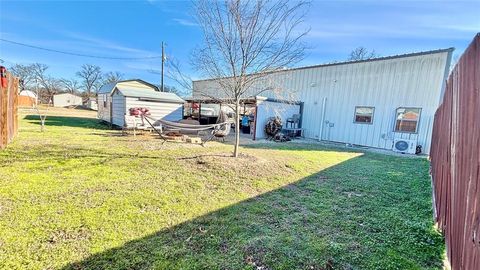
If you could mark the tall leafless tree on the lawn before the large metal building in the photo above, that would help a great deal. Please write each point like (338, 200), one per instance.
(245, 41)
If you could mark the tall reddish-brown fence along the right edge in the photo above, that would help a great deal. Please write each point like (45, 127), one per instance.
(455, 159)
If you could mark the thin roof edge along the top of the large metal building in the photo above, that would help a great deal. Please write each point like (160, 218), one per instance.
(449, 50)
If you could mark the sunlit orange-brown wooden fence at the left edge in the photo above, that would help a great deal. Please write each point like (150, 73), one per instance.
(8, 110)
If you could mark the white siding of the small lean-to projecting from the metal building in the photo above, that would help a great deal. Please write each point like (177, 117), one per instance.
(268, 109)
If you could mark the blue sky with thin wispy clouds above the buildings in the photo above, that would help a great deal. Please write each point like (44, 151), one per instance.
(136, 29)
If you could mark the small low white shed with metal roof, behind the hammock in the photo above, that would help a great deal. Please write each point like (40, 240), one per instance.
(162, 105)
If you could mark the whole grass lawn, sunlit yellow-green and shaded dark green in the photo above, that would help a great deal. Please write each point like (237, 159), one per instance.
(79, 196)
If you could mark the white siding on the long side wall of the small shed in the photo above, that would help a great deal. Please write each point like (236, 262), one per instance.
(158, 110)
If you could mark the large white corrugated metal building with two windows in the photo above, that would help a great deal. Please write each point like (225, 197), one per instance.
(379, 102)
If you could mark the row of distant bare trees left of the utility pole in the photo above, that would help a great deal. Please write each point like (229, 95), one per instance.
(87, 80)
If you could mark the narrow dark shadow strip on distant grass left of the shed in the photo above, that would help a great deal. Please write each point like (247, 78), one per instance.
(69, 121)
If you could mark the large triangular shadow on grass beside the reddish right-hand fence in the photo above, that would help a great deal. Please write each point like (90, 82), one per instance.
(344, 217)
